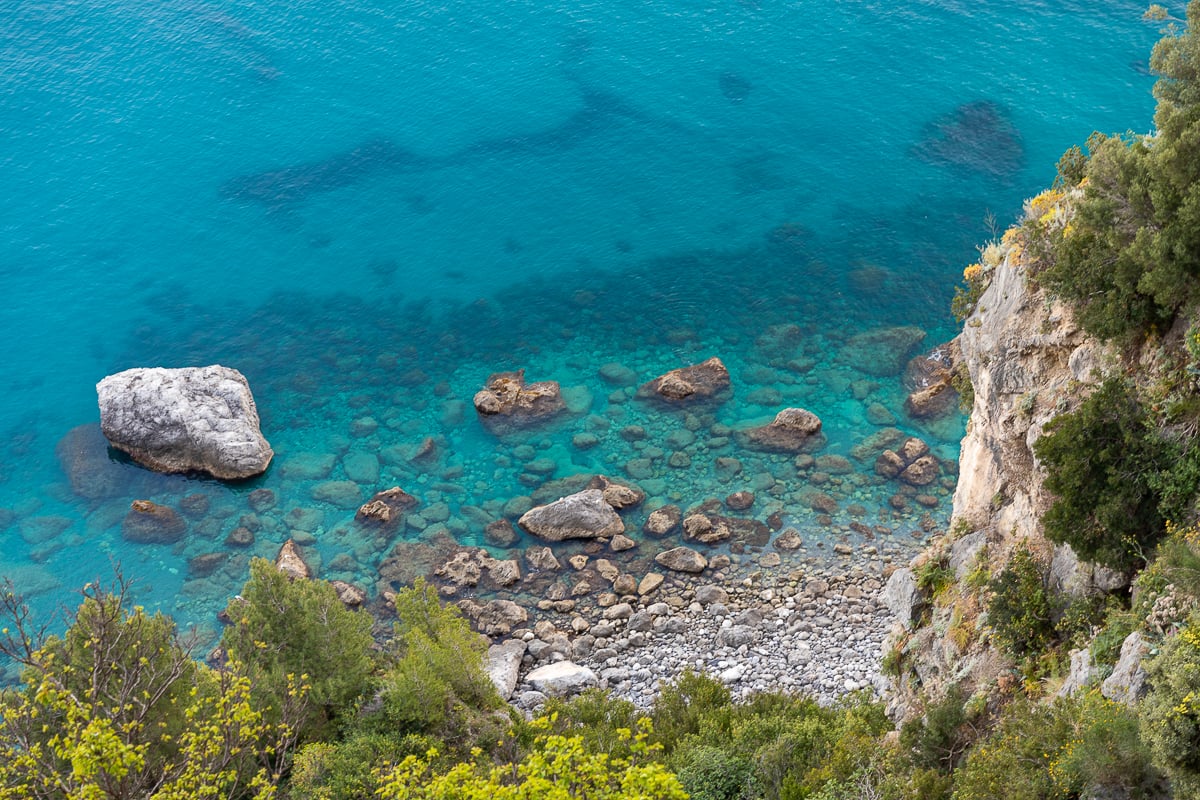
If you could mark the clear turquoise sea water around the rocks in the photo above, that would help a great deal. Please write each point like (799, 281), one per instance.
(369, 208)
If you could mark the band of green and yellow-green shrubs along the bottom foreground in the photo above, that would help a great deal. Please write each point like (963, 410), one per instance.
(117, 708)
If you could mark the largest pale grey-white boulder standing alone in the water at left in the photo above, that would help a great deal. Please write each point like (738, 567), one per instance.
(200, 419)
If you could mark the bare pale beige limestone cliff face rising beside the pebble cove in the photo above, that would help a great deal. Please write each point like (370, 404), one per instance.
(1028, 362)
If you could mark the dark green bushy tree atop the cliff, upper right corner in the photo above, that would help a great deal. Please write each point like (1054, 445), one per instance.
(1130, 258)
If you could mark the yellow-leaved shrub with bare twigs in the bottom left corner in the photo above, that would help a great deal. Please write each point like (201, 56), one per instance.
(117, 708)
